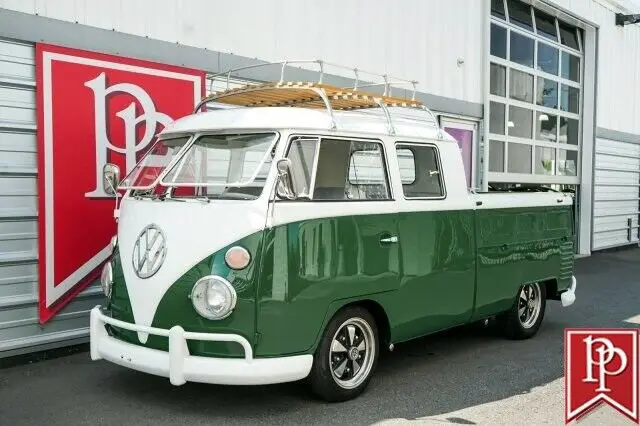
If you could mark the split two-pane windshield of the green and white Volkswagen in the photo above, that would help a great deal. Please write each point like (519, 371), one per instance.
(218, 166)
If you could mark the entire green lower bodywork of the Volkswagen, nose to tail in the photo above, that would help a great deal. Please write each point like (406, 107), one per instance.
(446, 269)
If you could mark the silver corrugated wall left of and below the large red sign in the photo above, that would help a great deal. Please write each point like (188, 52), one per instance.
(19, 328)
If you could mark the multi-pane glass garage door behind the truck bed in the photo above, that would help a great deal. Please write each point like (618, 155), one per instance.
(535, 89)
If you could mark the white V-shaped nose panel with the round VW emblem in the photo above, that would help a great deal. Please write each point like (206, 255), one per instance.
(160, 240)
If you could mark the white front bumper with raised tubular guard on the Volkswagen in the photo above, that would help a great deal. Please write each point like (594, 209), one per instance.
(181, 367)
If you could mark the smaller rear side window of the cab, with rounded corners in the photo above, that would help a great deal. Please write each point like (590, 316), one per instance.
(420, 171)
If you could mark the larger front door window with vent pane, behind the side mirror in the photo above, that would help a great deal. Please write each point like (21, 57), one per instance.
(346, 169)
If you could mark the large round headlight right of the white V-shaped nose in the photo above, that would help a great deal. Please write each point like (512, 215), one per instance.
(213, 297)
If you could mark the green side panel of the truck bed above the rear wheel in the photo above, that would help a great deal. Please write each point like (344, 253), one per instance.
(520, 245)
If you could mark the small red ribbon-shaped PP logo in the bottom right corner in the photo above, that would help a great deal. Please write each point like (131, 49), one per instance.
(601, 366)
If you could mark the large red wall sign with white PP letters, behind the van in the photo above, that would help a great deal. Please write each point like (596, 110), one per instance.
(93, 109)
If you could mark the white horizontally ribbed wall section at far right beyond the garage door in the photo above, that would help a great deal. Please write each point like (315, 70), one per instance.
(616, 206)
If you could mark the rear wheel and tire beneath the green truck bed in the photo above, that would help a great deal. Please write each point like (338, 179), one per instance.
(519, 324)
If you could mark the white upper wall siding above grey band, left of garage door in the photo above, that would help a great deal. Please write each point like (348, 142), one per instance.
(420, 40)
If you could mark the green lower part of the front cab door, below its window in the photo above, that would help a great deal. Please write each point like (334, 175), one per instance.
(309, 264)
